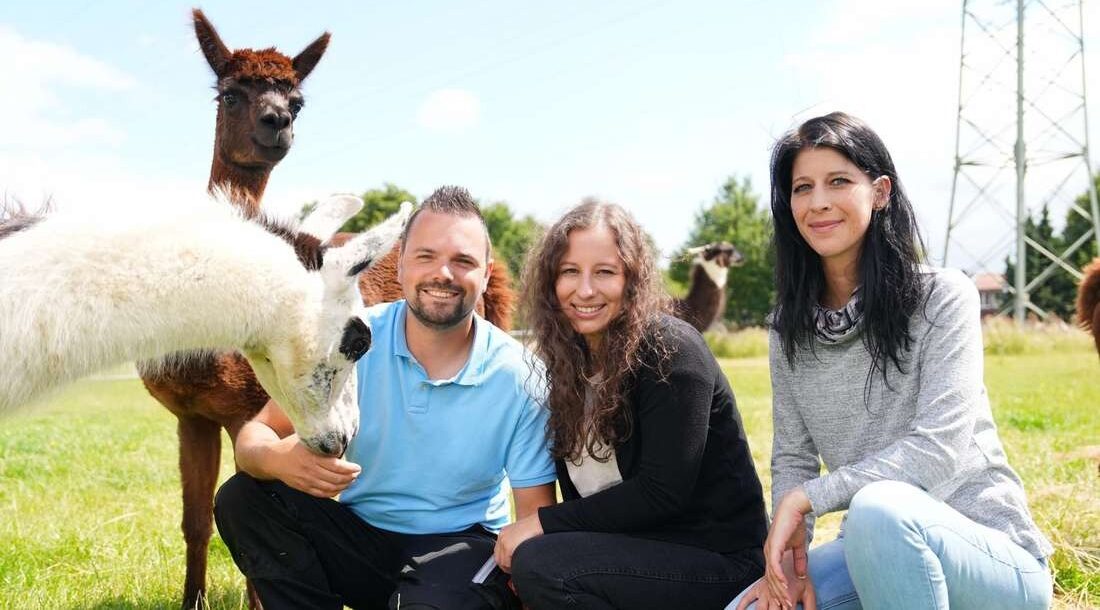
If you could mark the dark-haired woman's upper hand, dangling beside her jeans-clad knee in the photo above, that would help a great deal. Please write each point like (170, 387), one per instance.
(788, 536)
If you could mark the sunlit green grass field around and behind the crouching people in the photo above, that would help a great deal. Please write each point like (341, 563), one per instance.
(90, 495)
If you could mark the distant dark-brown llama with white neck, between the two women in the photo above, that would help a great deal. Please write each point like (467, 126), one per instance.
(707, 295)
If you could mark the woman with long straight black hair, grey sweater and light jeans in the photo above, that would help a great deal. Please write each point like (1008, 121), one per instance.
(877, 373)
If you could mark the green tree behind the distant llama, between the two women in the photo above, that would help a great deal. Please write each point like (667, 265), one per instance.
(735, 216)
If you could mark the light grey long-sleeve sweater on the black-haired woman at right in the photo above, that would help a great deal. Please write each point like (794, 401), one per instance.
(931, 428)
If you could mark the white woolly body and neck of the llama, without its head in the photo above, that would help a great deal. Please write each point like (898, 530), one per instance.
(76, 302)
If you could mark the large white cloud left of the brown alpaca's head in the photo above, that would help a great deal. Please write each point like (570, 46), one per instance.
(52, 149)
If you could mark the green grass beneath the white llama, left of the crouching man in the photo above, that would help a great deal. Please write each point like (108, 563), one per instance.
(90, 505)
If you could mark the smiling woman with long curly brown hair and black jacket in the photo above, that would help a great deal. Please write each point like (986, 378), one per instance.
(664, 508)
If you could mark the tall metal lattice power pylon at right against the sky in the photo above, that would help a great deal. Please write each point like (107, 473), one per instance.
(1021, 138)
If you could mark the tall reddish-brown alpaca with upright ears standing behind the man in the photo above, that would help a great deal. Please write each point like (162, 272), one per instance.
(258, 101)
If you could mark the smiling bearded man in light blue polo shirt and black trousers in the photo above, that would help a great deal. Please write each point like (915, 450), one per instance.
(445, 416)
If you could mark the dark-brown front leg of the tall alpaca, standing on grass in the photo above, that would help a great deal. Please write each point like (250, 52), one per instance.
(200, 456)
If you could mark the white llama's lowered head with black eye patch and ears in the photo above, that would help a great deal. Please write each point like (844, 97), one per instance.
(309, 370)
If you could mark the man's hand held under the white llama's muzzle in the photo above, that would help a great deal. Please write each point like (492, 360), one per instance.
(303, 470)
